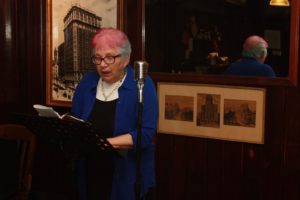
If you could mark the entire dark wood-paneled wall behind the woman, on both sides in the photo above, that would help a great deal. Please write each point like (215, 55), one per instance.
(187, 167)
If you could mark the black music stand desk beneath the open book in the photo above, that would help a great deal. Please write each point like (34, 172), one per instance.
(76, 139)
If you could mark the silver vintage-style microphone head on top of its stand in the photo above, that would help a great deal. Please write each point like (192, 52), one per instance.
(140, 73)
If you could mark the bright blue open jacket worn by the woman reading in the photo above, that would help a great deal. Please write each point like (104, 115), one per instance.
(125, 122)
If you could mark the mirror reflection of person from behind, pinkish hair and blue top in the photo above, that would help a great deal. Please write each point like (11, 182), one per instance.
(253, 57)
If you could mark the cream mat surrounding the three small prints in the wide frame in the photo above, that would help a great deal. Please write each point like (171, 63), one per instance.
(225, 132)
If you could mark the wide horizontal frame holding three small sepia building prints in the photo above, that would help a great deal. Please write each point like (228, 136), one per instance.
(212, 111)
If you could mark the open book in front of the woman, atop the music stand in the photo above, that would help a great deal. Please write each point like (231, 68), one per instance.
(46, 111)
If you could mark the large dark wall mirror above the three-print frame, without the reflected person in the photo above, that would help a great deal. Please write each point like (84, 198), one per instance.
(218, 26)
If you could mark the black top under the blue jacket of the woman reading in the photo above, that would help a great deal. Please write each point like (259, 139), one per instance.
(99, 164)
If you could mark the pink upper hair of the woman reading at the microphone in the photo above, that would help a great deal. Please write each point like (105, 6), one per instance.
(111, 38)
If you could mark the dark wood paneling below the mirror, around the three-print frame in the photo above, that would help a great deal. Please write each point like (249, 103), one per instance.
(200, 168)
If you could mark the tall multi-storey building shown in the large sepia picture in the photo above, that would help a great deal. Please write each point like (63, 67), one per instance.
(80, 24)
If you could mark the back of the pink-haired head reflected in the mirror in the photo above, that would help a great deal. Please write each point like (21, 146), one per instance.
(255, 47)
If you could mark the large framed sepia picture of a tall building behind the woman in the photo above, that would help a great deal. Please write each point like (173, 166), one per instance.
(70, 25)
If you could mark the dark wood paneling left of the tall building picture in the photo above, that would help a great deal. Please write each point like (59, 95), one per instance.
(22, 78)
